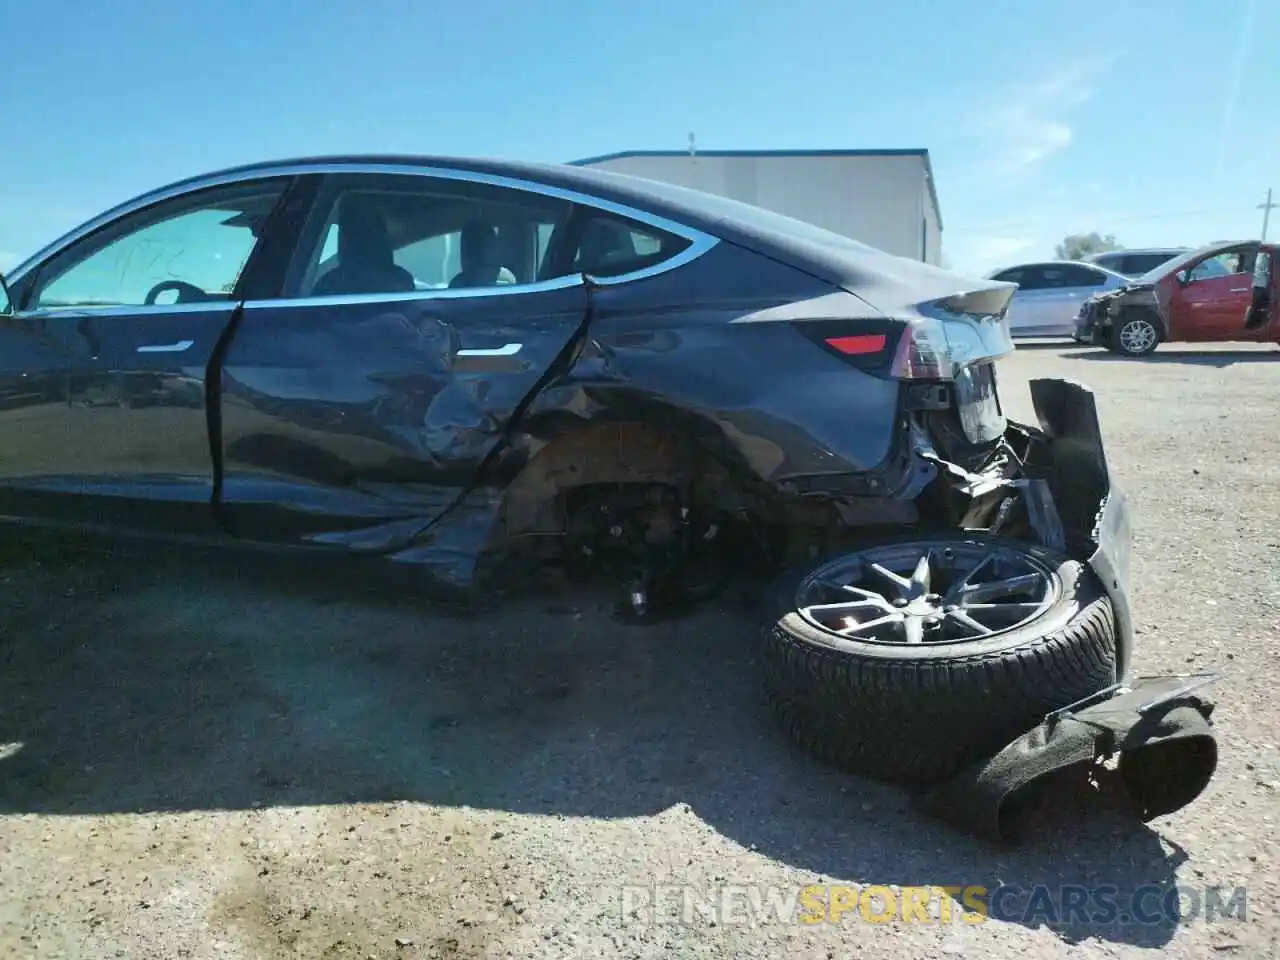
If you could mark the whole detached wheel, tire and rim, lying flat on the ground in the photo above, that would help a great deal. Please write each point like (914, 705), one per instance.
(907, 661)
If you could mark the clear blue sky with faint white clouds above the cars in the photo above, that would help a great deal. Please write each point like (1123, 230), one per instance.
(1151, 120)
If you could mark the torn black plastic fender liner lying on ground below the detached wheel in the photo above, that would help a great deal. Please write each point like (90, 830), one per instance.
(1160, 730)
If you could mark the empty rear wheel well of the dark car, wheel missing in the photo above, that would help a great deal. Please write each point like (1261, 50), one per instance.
(643, 491)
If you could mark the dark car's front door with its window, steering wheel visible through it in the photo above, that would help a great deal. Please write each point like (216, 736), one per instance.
(106, 359)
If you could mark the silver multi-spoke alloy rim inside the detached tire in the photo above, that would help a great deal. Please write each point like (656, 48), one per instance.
(927, 593)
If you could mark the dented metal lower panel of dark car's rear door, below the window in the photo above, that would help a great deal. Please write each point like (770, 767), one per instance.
(360, 424)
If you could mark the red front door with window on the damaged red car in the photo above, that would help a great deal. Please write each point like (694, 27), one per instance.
(1209, 299)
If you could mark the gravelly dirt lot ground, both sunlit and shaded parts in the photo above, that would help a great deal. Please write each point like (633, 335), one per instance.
(217, 761)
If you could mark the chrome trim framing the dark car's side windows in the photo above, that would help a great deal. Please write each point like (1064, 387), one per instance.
(700, 243)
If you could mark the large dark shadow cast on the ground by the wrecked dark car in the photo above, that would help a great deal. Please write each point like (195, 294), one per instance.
(129, 689)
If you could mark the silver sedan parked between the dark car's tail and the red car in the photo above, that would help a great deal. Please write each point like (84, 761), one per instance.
(1050, 295)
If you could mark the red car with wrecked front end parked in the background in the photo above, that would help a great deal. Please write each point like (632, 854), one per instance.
(1214, 294)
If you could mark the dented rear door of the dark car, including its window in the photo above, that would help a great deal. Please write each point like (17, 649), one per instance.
(418, 317)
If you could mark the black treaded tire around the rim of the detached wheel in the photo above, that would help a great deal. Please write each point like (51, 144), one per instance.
(917, 715)
